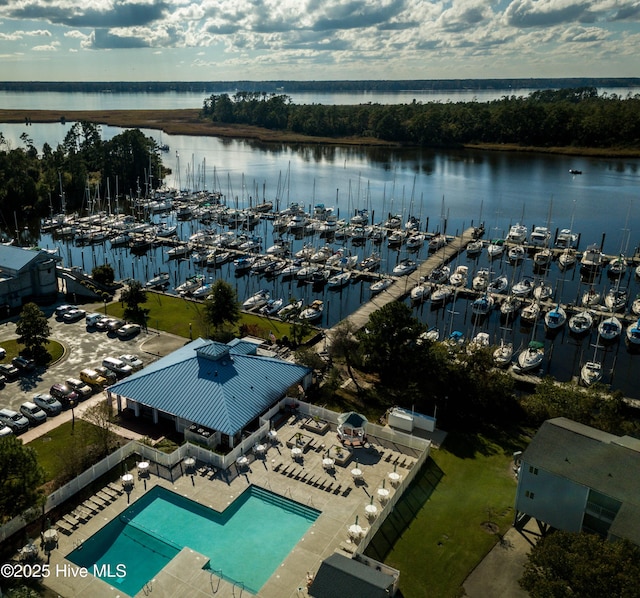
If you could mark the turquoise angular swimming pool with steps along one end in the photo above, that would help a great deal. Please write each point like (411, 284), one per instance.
(245, 543)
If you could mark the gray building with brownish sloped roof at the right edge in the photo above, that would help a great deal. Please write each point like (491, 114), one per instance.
(575, 478)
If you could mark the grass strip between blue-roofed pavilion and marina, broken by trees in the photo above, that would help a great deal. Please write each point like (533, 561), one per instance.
(176, 315)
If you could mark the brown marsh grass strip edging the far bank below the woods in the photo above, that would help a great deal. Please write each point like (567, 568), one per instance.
(187, 122)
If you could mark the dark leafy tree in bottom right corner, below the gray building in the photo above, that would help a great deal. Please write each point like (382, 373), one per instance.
(564, 564)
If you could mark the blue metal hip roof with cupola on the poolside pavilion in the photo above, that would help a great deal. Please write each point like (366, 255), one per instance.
(224, 394)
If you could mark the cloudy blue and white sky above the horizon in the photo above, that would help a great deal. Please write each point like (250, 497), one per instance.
(227, 40)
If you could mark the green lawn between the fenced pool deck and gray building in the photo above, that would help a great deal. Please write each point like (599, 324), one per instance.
(436, 536)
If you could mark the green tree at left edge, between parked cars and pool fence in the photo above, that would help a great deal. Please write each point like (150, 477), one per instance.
(20, 477)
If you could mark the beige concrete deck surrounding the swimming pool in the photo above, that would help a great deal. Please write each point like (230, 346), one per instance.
(335, 493)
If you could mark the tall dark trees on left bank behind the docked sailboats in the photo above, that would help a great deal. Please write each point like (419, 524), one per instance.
(84, 167)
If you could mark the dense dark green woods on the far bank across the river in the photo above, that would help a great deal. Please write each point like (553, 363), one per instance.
(578, 117)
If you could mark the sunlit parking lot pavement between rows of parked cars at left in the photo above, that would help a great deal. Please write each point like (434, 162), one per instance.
(84, 348)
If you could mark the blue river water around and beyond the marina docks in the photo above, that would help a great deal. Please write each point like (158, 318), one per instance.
(445, 189)
